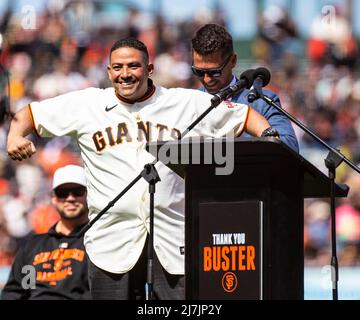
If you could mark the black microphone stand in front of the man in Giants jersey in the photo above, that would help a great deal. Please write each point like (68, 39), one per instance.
(150, 174)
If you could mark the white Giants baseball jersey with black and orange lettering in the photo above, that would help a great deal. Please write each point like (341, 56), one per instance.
(112, 135)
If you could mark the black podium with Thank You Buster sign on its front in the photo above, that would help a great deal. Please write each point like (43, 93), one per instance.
(244, 229)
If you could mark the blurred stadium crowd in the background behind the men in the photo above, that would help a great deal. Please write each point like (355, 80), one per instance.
(53, 47)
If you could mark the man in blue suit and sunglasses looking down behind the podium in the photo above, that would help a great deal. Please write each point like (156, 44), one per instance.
(213, 61)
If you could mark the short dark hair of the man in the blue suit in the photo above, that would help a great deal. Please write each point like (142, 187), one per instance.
(212, 38)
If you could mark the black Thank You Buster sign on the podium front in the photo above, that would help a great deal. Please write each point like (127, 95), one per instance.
(230, 250)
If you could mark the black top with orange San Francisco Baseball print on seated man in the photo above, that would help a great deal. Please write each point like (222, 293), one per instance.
(49, 266)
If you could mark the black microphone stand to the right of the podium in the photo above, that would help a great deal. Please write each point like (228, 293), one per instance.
(332, 161)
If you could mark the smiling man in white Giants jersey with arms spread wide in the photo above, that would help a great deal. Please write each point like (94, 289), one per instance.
(111, 128)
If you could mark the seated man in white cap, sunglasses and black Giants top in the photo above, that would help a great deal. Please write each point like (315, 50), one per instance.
(54, 265)
